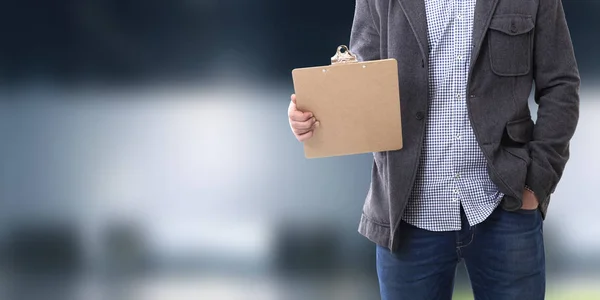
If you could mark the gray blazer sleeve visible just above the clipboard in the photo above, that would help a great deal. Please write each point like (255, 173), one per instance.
(364, 37)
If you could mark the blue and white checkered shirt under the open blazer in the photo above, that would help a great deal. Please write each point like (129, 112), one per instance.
(452, 169)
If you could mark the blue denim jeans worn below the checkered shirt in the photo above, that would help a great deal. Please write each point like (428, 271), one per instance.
(504, 256)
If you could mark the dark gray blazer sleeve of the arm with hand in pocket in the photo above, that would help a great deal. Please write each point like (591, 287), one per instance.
(557, 94)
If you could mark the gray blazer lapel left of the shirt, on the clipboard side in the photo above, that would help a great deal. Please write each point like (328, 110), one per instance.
(417, 18)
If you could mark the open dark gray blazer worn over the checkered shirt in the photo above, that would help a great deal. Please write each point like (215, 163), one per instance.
(515, 43)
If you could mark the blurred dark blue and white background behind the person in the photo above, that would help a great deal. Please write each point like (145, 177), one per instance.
(145, 154)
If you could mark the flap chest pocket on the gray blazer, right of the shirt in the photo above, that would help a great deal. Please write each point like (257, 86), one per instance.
(510, 42)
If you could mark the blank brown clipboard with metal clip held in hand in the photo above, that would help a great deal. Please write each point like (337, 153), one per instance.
(356, 103)
